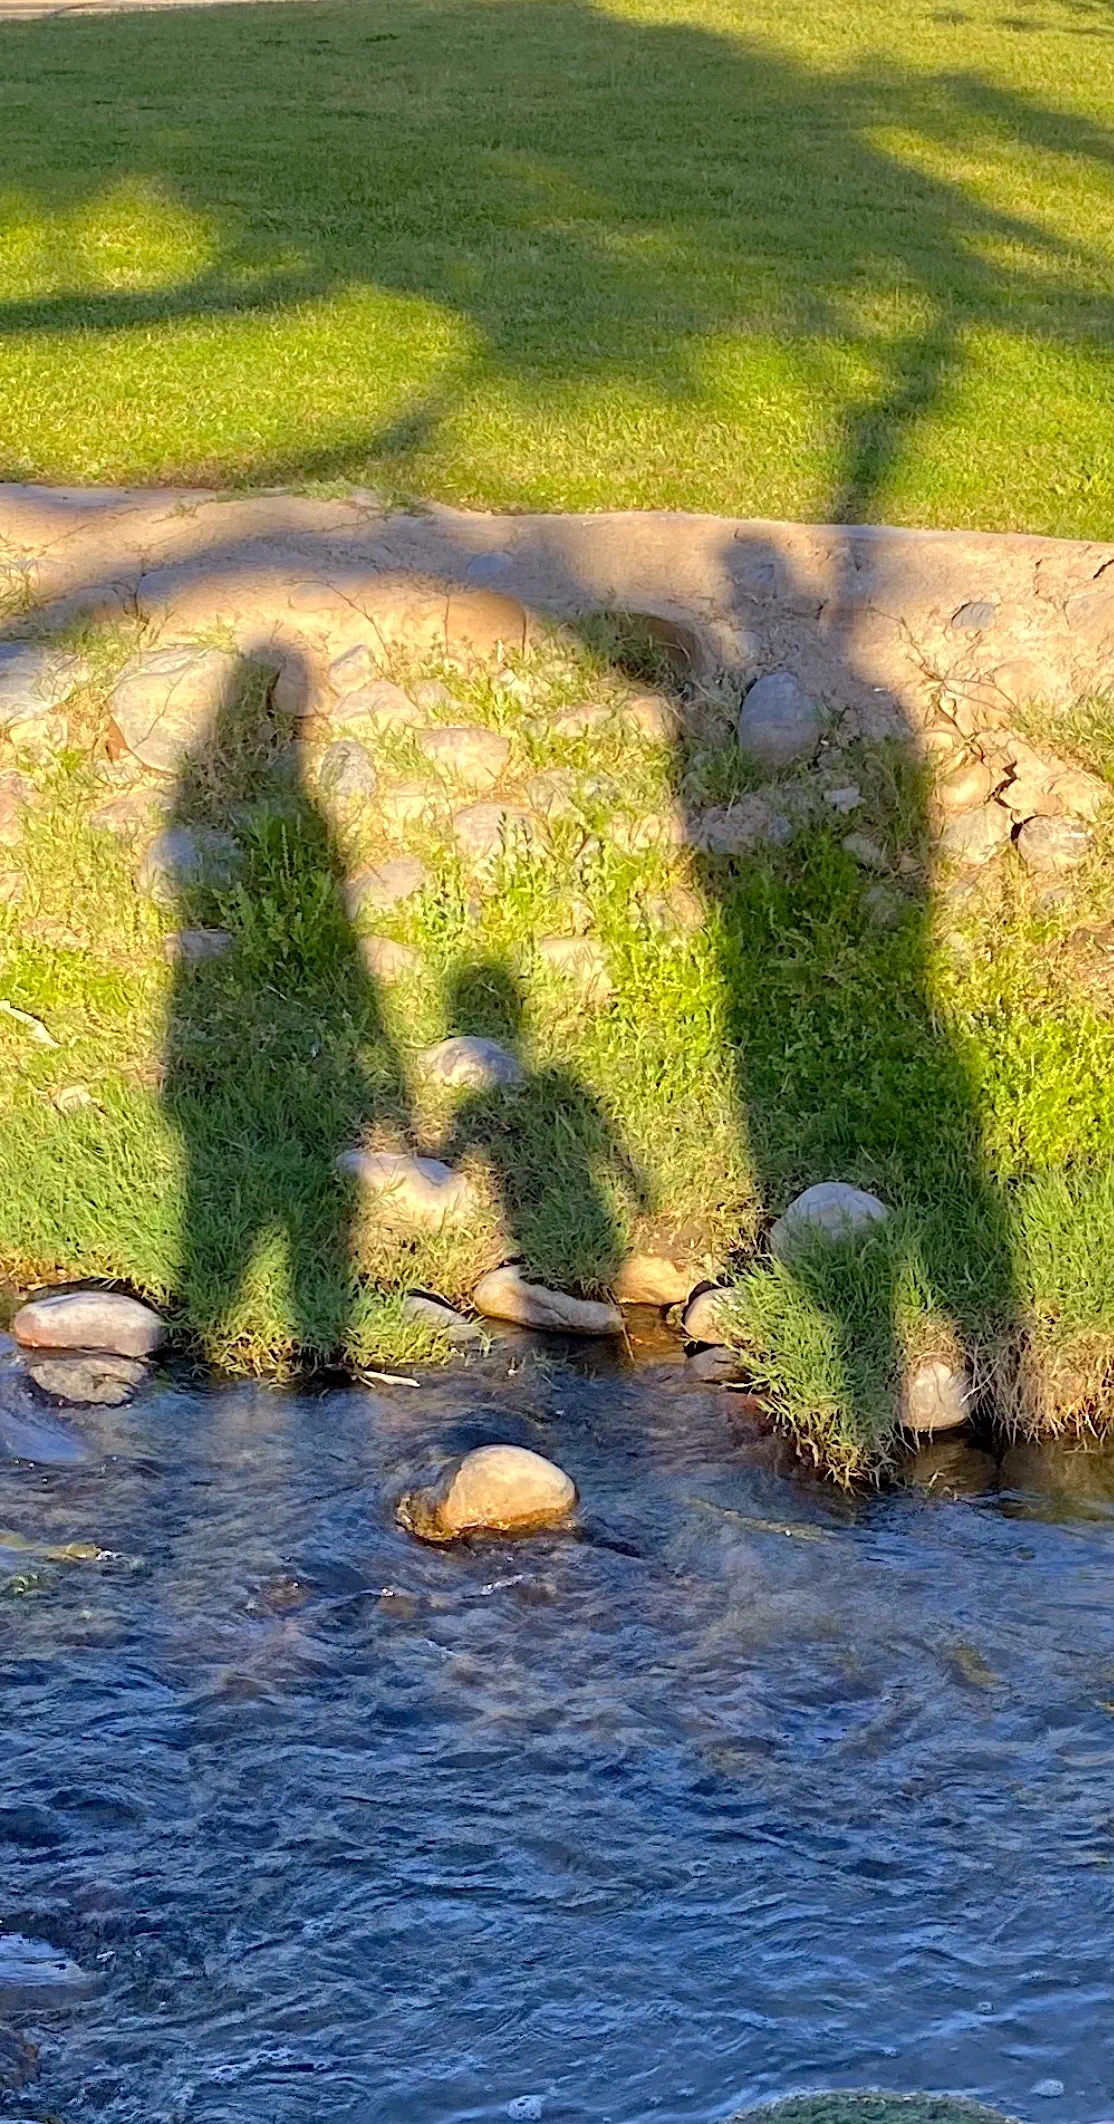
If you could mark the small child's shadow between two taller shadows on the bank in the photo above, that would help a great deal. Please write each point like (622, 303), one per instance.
(567, 1186)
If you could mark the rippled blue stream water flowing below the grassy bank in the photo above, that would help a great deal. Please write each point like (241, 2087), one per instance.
(745, 1787)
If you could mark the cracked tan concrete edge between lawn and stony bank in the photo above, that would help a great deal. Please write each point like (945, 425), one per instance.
(892, 623)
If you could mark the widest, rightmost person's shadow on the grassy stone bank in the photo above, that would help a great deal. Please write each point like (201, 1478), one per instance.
(828, 902)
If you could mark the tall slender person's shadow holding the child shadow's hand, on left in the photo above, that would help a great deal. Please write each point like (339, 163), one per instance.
(277, 1050)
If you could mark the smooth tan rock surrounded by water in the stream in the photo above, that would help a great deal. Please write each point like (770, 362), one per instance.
(494, 1490)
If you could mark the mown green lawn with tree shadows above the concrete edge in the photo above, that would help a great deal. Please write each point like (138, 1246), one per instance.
(726, 256)
